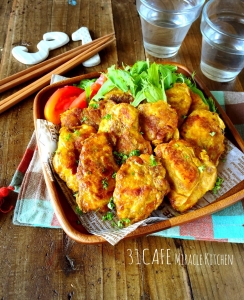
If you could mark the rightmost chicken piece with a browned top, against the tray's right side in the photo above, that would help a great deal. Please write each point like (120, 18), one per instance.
(205, 129)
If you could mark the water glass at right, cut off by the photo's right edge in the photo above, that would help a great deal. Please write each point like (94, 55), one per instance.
(222, 28)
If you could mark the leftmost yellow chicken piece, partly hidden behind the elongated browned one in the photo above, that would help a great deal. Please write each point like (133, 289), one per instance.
(67, 155)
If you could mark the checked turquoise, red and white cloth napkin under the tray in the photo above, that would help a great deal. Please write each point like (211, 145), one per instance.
(33, 206)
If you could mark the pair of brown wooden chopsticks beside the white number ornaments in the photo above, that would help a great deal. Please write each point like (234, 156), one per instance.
(59, 65)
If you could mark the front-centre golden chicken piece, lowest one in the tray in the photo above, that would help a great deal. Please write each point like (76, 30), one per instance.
(140, 187)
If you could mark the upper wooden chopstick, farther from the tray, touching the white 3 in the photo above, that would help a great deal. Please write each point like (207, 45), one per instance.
(47, 65)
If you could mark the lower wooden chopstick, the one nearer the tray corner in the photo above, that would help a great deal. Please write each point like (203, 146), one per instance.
(43, 81)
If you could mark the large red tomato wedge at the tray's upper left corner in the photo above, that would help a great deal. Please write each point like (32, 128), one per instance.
(59, 102)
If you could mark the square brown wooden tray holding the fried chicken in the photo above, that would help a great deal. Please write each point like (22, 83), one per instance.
(67, 217)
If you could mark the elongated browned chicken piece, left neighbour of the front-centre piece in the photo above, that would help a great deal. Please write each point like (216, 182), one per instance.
(95, 173)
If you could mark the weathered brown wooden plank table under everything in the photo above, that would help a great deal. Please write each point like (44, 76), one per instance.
(39, 263)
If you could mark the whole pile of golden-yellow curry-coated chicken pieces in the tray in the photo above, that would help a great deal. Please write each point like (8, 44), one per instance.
(122, 128)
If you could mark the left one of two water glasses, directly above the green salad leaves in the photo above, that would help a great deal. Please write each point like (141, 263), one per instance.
(165, 24)
